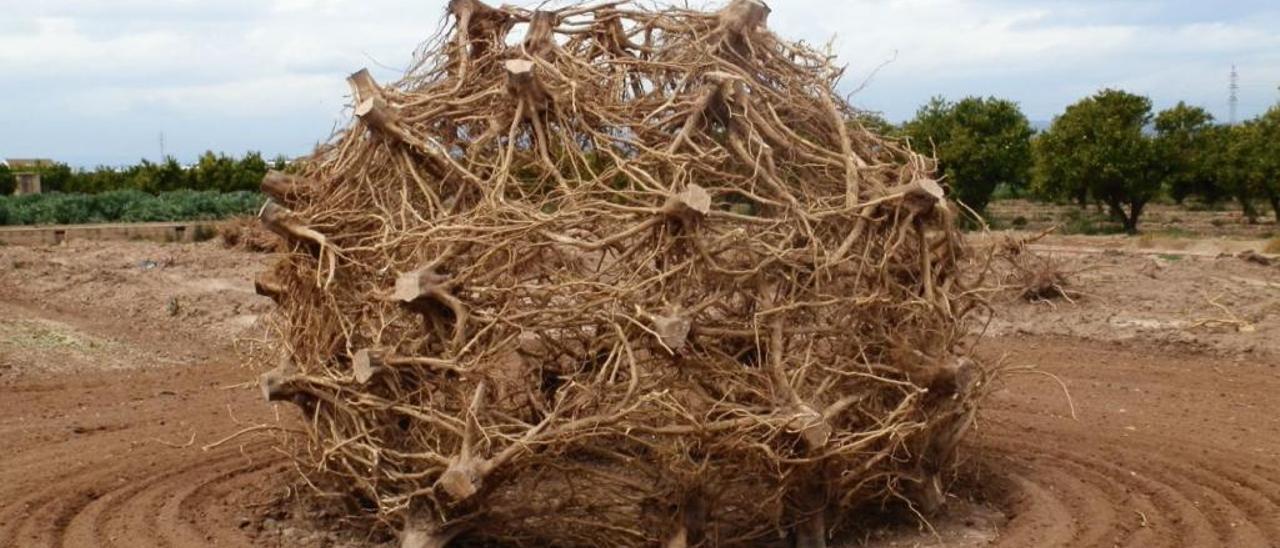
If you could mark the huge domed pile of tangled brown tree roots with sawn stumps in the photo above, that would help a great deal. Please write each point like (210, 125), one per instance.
(634, 280)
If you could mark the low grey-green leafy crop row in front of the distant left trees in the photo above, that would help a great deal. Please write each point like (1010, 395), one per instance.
(126, 207)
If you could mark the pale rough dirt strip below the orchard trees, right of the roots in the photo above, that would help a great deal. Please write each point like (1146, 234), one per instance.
(1178, 295)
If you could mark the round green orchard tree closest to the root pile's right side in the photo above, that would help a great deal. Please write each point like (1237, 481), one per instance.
(980, 144)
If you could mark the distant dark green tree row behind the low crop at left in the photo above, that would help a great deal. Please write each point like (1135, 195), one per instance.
(212, 172)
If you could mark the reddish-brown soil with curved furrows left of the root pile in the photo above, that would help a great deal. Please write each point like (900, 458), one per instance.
(70, 483)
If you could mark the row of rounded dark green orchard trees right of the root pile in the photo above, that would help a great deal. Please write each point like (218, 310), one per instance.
(1109, 149)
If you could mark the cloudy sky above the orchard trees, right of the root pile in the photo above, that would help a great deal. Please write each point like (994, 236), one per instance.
(1045, 54)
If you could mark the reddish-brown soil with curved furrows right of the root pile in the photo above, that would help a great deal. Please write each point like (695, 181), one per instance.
(1162, 454)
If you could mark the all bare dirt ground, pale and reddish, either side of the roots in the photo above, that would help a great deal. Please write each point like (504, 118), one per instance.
(121, 392)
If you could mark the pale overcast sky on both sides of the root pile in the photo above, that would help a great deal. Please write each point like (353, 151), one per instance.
(99, 81)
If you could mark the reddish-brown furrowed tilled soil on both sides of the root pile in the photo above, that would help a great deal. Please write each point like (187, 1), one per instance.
(1159, 458)
